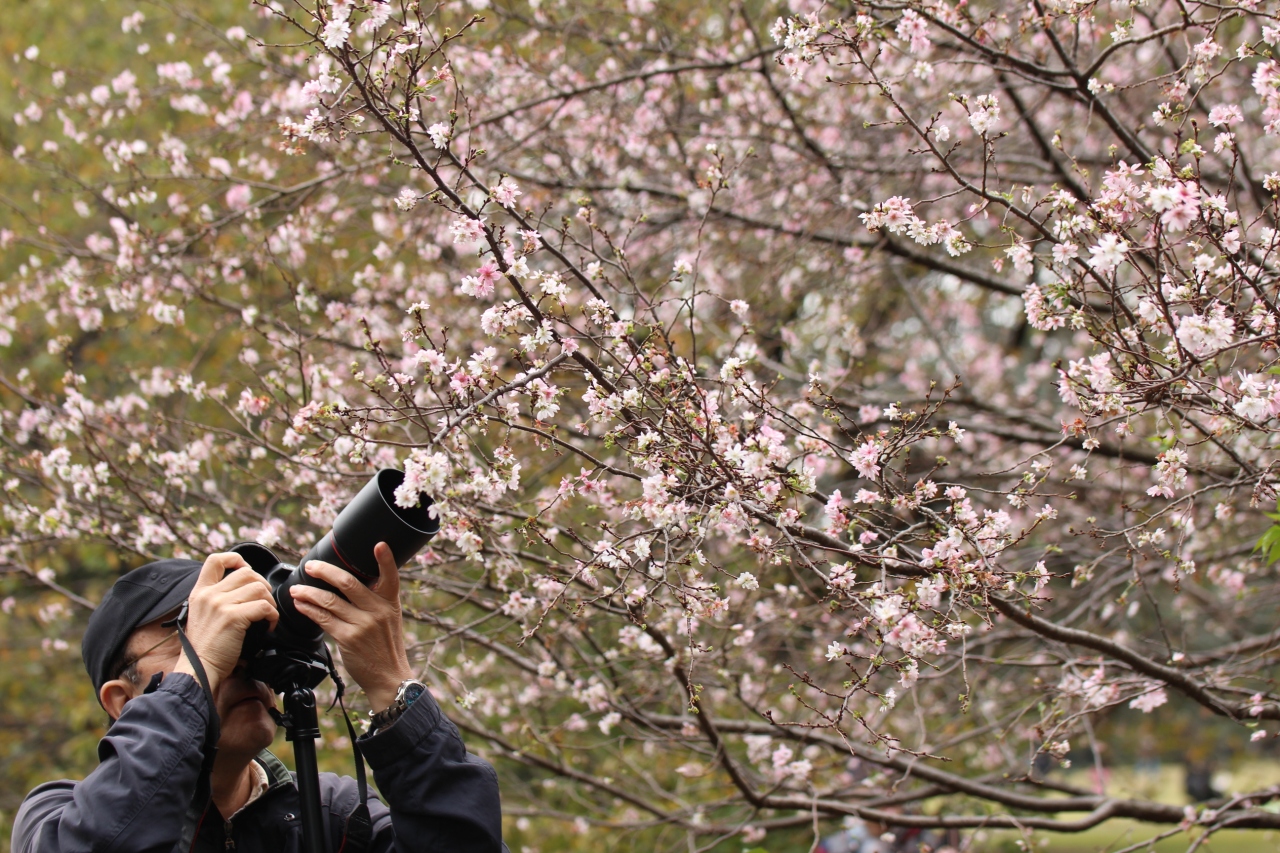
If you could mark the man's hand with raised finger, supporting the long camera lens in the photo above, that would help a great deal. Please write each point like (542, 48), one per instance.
(367, 627)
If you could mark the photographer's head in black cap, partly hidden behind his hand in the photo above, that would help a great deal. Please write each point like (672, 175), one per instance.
(127, 644)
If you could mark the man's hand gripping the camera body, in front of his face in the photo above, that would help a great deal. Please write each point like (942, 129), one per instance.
(220, 612)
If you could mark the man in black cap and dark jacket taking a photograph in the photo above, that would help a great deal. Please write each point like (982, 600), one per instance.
(141, 797)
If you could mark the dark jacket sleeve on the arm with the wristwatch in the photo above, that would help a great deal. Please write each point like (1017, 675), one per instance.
(440, 797)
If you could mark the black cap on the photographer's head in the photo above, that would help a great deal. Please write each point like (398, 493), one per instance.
(143, 596)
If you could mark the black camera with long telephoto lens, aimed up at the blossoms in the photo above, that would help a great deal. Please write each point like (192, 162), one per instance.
(294, 654)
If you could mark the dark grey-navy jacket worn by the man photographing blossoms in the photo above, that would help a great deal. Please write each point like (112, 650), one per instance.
(438, 797)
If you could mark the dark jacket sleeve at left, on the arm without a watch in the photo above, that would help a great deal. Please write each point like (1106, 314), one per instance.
(138, 797)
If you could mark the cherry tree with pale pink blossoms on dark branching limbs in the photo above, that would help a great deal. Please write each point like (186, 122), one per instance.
(831, 410)
